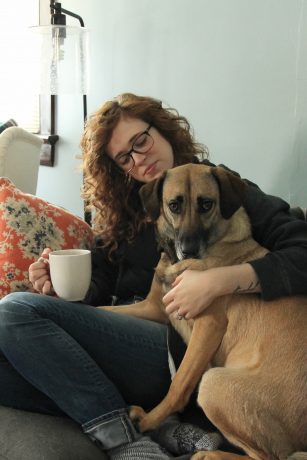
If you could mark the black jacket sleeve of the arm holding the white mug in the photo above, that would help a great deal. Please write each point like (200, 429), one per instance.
(104, 276)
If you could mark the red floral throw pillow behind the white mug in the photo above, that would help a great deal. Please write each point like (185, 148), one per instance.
(29, 224)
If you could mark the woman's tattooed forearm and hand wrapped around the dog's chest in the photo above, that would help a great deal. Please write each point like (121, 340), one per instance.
(193, 291)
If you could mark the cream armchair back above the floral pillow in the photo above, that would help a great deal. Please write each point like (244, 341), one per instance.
(20, 158)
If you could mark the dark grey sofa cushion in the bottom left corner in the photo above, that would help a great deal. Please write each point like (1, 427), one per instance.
(30, 436)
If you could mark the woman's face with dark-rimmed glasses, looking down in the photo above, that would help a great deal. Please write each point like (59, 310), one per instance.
(149, 165)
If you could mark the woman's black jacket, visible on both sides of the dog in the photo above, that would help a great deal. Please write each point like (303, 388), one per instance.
(281, 272)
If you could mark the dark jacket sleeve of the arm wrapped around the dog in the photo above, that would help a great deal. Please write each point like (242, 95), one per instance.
(283, 271)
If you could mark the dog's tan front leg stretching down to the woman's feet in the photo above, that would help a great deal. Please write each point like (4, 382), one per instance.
(206, 337)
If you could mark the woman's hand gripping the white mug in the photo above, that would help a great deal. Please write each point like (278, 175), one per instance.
(39, 274)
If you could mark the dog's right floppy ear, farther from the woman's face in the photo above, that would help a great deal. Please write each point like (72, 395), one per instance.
(232, 190)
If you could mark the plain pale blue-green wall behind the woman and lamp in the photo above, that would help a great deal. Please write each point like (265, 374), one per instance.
(236, 68)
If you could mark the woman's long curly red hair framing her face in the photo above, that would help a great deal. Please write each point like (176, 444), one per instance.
(113, 196)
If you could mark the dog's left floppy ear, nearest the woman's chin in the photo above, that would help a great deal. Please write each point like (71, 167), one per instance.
(151, 194)
